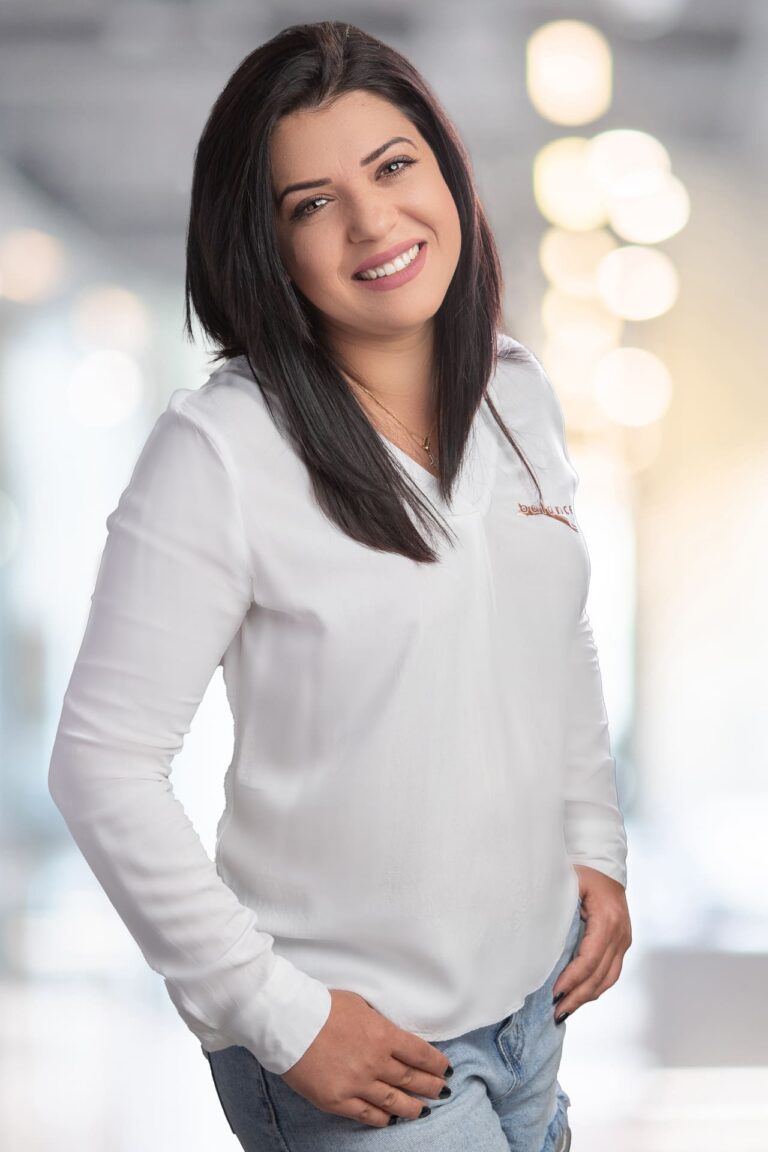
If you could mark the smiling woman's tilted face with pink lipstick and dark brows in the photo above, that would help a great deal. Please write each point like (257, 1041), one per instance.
(364, 209)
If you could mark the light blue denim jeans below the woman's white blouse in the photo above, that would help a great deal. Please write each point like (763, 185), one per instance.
(506, 1094)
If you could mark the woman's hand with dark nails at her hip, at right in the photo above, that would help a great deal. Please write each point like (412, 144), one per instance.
(607, 937)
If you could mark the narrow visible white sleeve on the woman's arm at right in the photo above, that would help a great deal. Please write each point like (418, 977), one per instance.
(595, 827)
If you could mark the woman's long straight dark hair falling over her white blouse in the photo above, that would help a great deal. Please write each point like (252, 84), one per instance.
(249, 307)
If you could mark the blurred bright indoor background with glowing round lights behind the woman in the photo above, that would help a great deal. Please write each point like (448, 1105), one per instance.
(621, 153)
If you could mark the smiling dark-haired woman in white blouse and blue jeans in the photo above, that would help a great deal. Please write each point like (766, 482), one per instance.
(422, 817)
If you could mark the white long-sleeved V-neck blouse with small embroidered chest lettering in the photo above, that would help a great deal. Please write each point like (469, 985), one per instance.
(422, 752)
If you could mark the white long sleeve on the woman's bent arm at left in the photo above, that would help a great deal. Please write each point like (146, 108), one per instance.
(173, 587)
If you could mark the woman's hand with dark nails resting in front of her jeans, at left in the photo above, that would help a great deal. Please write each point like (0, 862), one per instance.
(363, 1066)
